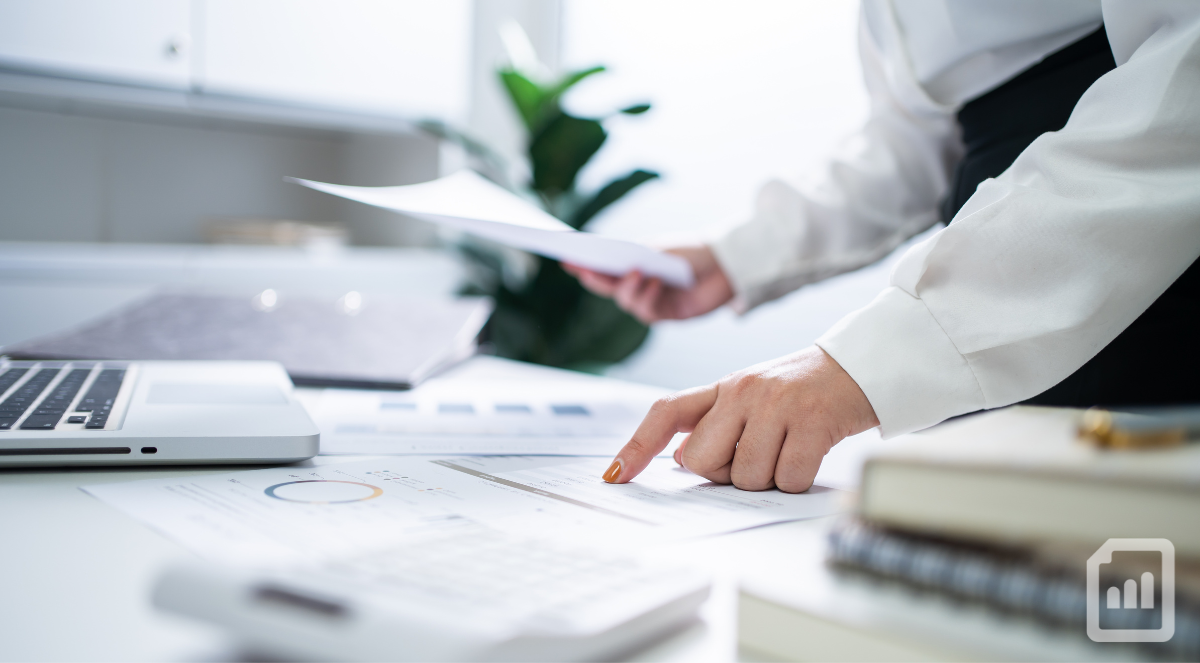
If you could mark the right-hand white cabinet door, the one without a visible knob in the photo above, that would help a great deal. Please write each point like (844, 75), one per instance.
(395, 57)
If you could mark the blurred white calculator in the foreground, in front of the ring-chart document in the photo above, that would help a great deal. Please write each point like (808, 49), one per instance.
(453, 593)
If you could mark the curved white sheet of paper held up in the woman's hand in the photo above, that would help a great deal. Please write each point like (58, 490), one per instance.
(469, 202)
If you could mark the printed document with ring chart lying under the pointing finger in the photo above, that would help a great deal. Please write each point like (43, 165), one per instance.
(265, 517)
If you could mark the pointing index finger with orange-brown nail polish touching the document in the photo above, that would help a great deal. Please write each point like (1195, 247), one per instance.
(676, 414)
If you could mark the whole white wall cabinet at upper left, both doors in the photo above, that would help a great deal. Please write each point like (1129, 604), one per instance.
(393, 58)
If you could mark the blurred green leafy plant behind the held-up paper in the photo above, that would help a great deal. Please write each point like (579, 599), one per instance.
(543, 315)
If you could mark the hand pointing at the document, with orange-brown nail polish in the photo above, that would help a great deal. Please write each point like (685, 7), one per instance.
(766, 427)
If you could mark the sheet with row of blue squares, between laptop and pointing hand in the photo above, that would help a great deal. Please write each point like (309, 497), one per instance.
(454, 416)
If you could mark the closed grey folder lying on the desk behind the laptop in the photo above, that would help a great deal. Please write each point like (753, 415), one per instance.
(382, 344)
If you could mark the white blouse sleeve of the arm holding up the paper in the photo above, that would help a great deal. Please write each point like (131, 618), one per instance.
(880, 189)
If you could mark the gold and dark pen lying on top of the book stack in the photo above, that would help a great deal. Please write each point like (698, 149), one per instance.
(1141, 428)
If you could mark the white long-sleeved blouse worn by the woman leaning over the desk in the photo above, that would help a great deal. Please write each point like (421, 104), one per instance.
(1047, 264)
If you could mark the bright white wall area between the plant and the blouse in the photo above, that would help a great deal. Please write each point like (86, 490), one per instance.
(742, 92)
